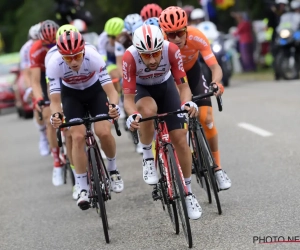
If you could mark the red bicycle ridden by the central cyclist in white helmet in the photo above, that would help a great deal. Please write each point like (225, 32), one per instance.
(171, 188)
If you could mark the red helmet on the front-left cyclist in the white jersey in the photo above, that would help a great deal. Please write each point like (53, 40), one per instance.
(70, 43)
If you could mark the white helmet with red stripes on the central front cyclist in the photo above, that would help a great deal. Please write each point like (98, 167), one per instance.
(148, 39)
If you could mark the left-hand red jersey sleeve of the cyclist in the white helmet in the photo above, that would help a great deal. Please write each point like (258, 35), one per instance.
(129, 73)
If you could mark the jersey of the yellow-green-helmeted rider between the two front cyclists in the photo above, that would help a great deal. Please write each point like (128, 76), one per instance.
(108, 51)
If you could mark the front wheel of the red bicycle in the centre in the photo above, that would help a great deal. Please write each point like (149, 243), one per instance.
(179, 195)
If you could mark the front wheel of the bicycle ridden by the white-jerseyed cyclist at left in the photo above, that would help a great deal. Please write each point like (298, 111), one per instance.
(100, 199)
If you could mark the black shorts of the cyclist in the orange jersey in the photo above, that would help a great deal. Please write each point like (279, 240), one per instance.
(198, 84)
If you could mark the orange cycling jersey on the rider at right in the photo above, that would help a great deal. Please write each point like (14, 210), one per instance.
(196, 42)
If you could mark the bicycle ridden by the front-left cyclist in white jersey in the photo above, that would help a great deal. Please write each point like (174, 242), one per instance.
(98, 177)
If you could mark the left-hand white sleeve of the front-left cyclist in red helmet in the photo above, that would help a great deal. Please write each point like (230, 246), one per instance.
(53, 75)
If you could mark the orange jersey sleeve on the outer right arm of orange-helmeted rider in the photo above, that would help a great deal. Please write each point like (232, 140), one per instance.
(202, 43)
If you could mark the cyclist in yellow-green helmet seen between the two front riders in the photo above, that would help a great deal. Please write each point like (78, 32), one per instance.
(112, 51)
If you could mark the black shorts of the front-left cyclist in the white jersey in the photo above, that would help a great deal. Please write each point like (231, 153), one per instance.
(74, 100)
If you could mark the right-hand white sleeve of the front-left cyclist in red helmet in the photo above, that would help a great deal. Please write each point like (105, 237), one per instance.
(99, 66)
